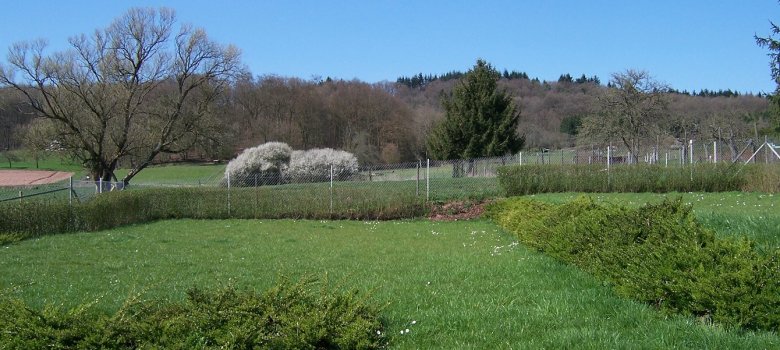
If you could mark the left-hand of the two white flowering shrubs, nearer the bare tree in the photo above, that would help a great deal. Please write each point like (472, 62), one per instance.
(260, 165)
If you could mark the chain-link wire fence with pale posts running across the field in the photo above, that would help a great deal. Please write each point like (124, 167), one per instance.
(428, 179)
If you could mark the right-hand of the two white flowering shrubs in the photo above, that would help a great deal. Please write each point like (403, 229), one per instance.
(314, 165)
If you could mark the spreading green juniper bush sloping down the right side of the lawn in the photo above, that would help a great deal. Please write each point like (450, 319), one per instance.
(658, 254)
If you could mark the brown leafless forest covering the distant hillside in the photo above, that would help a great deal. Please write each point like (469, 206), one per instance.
(388, 122)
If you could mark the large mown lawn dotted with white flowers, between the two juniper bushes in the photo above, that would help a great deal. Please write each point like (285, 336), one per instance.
(453, 285)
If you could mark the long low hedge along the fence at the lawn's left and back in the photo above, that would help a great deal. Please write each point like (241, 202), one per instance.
(36, 218)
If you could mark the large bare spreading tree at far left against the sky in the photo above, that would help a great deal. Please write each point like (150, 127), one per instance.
(131, 91)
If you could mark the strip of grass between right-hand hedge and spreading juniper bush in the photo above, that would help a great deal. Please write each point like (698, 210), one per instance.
(731, 214)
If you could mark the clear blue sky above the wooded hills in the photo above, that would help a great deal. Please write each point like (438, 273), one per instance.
(686, 44)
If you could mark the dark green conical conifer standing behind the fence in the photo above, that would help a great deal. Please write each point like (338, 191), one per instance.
(480, 120)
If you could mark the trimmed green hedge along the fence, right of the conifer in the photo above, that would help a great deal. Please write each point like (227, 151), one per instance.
(519, 180)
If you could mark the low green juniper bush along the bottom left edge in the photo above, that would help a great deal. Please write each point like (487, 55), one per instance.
(288, 316)
